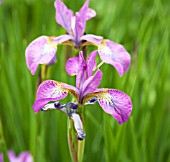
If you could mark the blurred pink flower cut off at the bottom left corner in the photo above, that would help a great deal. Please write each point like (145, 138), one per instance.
(23, 157)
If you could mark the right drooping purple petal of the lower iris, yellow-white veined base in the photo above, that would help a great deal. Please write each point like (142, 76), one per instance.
(113, 102)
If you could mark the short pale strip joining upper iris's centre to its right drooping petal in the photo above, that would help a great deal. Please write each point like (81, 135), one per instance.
(95, 40)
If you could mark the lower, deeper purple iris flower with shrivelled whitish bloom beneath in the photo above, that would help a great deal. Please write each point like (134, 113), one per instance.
(112, 101)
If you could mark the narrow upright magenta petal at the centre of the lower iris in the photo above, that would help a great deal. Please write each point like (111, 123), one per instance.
(82, 71)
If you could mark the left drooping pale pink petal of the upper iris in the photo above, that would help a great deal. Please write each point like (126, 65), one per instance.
(40, 51)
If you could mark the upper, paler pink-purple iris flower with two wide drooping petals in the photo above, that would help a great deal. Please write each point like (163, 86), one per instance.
(43, 49)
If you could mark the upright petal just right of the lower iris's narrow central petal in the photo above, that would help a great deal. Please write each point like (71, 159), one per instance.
(91, 63)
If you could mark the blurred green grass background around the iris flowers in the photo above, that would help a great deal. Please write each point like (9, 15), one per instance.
(143, 27)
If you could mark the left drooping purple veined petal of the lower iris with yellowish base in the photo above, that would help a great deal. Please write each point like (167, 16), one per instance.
(51, 91)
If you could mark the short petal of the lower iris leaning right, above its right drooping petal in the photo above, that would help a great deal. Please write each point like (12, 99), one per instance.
(92, 83)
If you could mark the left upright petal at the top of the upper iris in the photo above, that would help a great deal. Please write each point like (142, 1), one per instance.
(63, 15)
